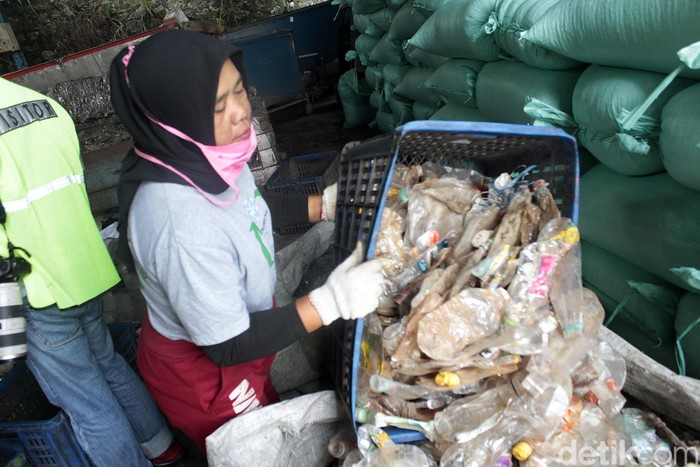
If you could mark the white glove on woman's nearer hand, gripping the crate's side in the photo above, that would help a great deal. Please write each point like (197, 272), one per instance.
(352, 289)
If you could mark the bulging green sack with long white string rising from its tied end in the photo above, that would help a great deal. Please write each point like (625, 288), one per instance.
(603, 103)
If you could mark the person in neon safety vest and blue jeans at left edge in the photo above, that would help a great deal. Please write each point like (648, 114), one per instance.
(69, 348)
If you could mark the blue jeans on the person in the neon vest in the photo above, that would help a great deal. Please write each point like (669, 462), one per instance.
(112, 413)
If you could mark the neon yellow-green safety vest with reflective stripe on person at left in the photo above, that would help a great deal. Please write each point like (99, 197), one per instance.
(42, 189)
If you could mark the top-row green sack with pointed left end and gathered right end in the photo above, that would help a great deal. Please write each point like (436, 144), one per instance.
(458, 30)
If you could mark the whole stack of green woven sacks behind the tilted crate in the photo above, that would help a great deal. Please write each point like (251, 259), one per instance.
(622, 77)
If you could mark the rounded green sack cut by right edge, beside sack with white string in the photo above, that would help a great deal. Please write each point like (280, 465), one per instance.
(680, 137)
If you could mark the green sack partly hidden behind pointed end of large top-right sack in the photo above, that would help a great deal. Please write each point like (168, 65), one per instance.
(507, 23)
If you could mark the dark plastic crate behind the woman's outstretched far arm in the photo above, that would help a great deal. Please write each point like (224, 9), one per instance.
(304, 175)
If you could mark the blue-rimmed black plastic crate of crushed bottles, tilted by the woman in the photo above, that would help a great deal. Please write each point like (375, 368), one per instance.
(363, 185)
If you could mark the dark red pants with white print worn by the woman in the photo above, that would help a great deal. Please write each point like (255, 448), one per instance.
(195, 394)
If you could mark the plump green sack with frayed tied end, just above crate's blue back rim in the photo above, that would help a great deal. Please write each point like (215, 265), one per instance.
(514, 92)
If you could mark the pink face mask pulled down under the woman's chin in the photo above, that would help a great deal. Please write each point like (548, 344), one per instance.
(228, 161)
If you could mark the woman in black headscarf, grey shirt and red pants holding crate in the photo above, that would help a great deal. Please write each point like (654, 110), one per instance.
(200, 233)
